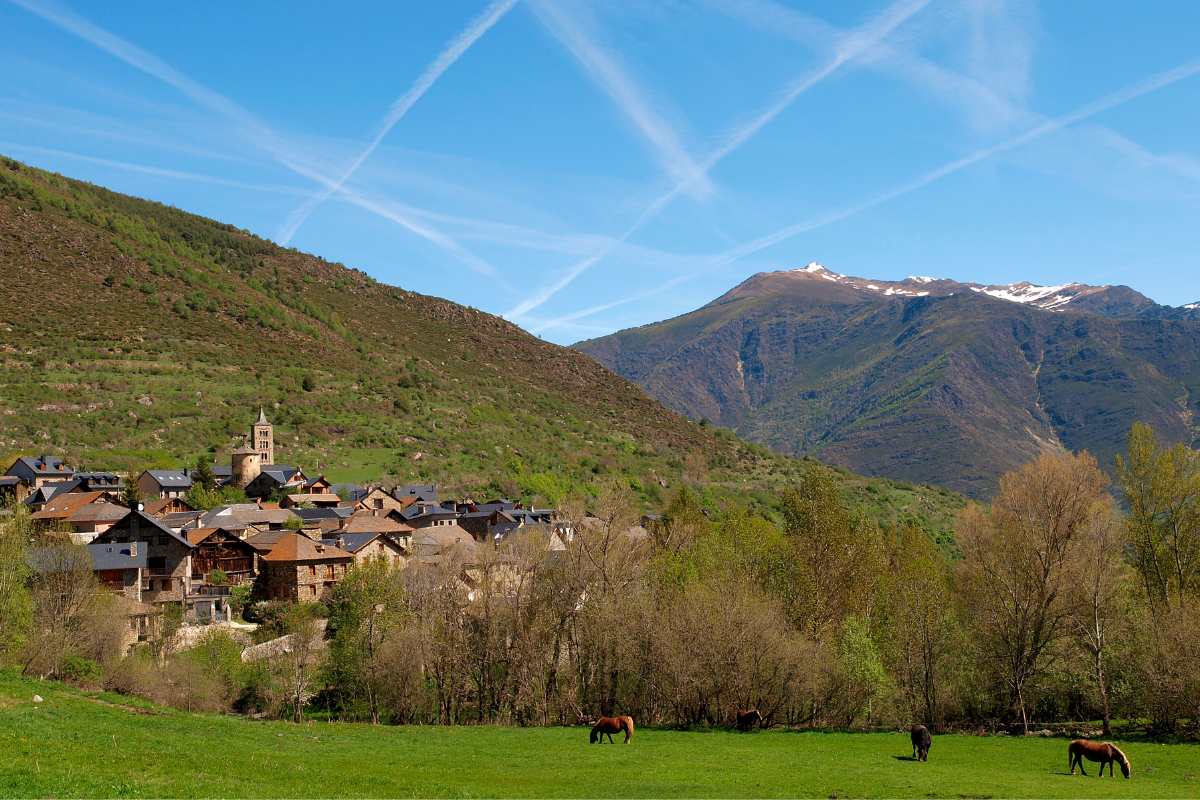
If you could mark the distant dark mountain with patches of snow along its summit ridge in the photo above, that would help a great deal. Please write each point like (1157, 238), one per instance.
(925, 380)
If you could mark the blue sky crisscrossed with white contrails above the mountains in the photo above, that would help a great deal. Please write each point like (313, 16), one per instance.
(584, 167)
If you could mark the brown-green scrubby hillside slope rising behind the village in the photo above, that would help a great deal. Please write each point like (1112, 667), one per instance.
(134, 335)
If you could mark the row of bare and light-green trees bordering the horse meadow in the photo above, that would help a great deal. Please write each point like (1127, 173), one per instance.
(1069, 599)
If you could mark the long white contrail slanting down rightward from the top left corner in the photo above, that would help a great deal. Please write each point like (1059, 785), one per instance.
(262, 136)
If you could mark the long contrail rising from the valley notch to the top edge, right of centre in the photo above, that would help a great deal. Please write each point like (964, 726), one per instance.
(851, 47)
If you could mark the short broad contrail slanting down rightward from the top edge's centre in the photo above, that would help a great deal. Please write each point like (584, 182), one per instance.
(607, 71)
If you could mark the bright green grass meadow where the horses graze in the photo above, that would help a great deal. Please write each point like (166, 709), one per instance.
(79, 744)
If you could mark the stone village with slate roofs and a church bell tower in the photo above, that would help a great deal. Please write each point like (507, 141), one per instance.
(295, 539)
